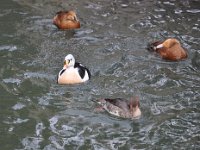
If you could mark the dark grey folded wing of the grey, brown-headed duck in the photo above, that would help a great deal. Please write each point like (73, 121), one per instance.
(119, 102)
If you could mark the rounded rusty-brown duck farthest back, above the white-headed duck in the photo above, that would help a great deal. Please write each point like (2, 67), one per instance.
(66, 20)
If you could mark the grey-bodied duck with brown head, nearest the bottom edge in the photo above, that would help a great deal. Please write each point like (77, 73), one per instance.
(121, 107)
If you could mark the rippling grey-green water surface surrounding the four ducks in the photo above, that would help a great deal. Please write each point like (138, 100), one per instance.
(36, 113)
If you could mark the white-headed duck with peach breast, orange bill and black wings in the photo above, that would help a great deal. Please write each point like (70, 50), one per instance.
(73, 72)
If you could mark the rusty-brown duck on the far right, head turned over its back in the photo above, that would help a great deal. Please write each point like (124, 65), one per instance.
(169, 49)
